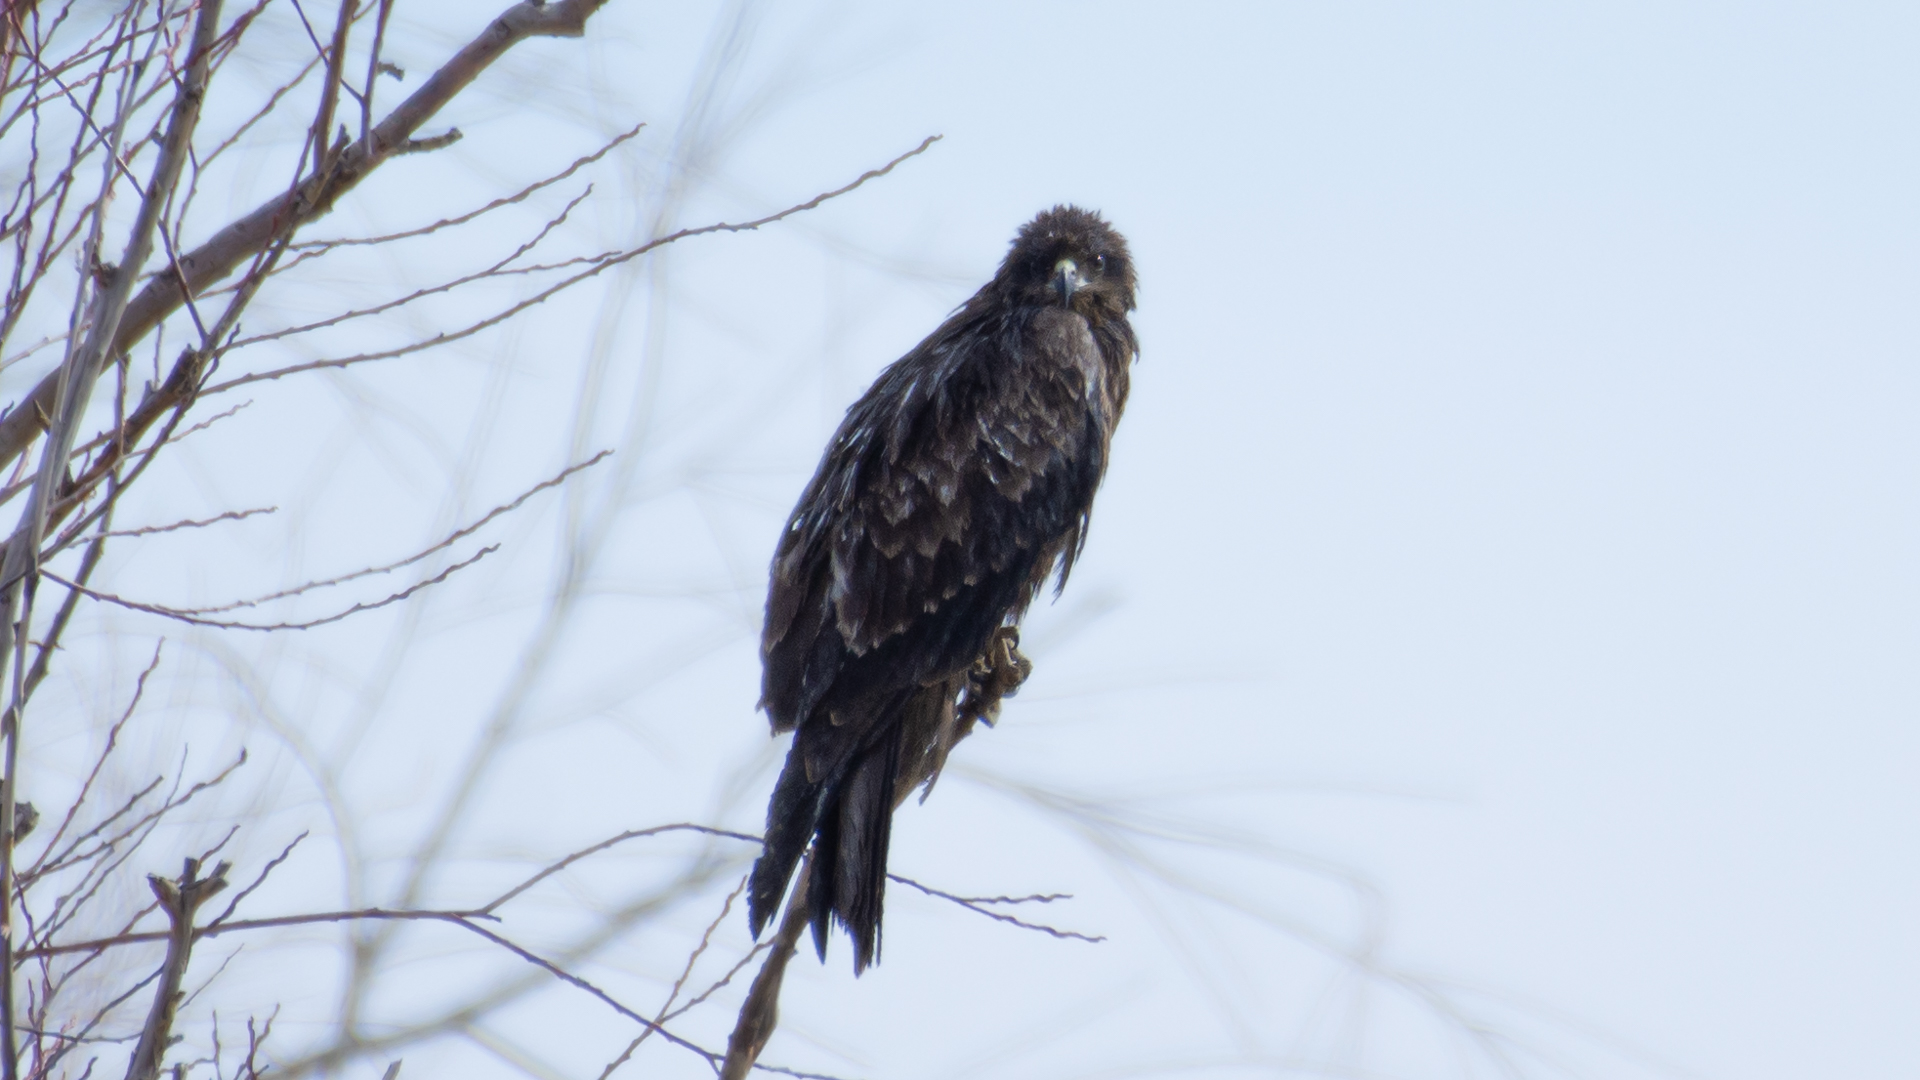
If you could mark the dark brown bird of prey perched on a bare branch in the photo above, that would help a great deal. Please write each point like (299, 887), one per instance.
(955, 487)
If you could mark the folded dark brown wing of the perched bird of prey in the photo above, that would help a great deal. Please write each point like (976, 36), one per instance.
(949, 483)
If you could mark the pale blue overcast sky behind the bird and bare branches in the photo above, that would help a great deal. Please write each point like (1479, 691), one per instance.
(1502, 606)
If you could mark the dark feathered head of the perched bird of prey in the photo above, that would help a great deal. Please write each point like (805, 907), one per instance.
(1072, 258)
